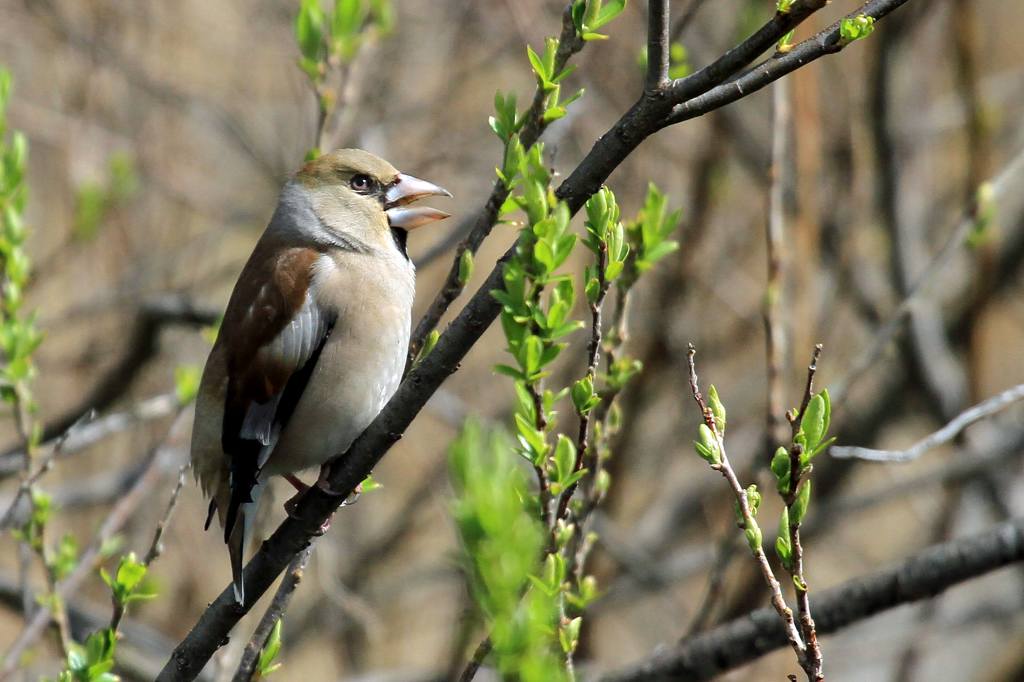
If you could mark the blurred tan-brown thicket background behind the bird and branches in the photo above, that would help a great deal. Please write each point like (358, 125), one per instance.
(161, 133)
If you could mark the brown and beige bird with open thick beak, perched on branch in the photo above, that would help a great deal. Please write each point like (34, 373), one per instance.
(315, 338)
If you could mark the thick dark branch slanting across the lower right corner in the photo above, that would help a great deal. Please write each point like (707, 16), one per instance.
(926, 575)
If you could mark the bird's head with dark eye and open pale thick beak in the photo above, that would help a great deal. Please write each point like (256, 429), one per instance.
(362, 196)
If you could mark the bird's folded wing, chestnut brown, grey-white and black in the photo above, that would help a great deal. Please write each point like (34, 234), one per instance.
(273, 334)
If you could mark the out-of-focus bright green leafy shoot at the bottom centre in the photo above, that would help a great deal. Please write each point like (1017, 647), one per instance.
(503, 540)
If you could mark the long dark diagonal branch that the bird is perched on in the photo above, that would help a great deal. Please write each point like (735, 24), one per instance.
(647, 117)
